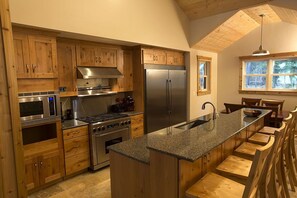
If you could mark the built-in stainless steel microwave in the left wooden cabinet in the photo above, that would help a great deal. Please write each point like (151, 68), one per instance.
(39, 107)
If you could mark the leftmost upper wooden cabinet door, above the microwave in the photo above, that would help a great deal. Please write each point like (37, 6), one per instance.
(22, 58)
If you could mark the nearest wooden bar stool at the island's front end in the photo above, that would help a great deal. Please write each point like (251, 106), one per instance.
(214, 185)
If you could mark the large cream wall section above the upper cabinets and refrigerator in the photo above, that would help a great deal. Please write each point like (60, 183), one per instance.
(152, 22)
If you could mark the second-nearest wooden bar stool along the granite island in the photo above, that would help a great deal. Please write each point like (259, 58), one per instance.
(237, 168)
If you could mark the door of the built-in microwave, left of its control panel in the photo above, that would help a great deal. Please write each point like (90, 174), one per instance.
(32, 108)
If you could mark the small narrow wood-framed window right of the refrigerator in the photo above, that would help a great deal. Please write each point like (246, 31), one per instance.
(203, 73)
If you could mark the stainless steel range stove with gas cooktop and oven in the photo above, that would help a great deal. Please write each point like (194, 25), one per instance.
(105, 130)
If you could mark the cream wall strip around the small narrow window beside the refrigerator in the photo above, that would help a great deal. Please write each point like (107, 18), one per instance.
(197, 101)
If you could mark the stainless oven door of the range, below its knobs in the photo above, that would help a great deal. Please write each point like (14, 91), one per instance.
(107, 139)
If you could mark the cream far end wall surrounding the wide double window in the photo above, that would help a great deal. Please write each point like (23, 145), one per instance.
(277, 37)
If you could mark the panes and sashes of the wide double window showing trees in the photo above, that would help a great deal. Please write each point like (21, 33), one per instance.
(270, 74)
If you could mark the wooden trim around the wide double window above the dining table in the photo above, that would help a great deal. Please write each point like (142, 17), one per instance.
(270, 58)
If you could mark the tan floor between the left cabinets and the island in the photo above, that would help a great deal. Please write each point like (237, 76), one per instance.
(89, 184)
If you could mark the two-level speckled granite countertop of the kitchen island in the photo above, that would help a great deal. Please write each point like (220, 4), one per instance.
(187, 144)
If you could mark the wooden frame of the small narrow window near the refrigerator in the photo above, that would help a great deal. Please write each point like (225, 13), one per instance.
(207, 61)
